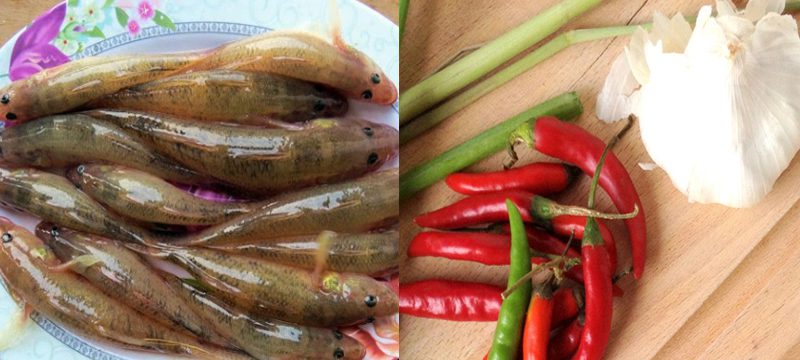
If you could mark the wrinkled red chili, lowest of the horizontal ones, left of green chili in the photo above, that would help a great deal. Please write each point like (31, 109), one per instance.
(451, 300)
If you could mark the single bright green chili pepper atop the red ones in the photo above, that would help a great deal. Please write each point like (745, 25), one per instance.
(508, 333)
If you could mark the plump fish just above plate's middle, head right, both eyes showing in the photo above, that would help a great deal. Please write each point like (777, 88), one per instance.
(265, 161)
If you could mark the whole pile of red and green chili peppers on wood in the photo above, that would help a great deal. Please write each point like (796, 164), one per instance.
(569, 303)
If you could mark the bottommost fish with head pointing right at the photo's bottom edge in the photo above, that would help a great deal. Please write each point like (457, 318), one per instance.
(263, 338)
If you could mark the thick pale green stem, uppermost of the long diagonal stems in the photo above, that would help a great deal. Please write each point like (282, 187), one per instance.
(459, 74)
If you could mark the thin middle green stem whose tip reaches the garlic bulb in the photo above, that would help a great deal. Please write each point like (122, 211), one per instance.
(469, 96)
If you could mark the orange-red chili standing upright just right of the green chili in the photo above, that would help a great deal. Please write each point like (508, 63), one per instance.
(537, 323)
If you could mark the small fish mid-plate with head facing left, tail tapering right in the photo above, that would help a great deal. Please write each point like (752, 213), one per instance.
(138, 195)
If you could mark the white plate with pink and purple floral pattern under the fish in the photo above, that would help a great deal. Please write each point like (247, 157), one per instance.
(80, 28)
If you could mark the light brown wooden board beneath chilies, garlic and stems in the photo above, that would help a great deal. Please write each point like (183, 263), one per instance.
(719, 284)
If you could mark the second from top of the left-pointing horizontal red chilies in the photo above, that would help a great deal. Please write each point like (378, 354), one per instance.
(477, 210)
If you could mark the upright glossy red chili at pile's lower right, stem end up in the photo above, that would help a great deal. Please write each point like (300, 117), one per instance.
(597, 282)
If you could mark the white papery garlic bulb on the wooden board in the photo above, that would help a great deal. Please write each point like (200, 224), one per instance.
(719, 105)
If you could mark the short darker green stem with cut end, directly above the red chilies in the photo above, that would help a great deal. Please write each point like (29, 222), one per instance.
(491, 141)
